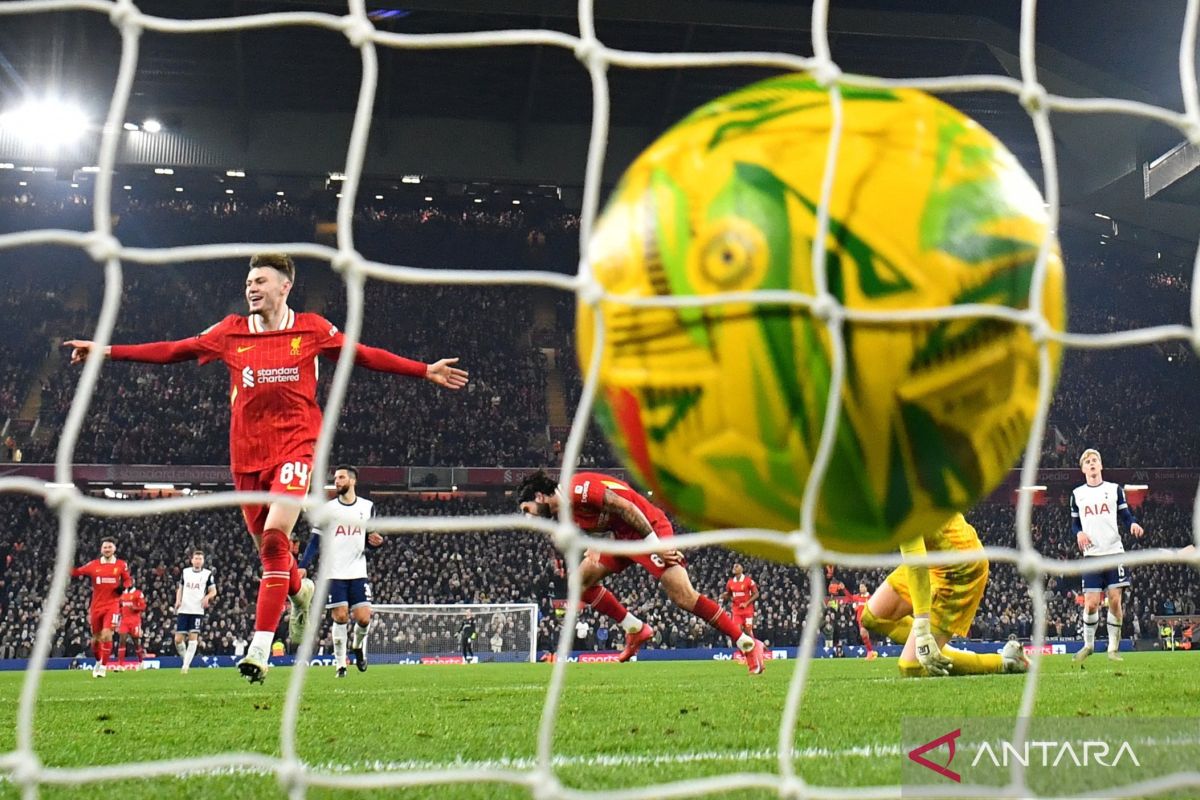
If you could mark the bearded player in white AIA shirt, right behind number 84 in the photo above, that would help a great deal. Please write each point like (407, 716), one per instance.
(350, 593)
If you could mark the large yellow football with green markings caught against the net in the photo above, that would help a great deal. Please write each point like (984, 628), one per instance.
(719, 410)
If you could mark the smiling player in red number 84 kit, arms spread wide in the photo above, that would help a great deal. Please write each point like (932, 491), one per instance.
(274, 422)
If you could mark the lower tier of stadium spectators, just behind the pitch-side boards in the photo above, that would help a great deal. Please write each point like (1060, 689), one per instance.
(513, 567)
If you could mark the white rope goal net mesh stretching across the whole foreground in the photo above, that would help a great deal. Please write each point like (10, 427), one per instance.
(23, 765)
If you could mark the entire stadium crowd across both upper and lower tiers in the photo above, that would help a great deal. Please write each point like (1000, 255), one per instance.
(1123, 402)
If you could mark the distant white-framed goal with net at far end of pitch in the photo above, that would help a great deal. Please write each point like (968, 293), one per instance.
(447, 634)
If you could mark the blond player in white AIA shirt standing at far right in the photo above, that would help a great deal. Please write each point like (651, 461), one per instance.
(1095, 509)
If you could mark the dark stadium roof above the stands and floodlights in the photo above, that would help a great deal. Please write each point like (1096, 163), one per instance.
(521, 113)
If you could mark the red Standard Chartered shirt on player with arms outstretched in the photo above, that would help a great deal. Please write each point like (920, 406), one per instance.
(274, 417)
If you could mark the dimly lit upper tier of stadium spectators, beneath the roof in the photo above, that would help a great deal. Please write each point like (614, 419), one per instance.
(499, 333)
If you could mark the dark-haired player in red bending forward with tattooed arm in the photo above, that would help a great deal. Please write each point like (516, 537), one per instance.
(602, 503)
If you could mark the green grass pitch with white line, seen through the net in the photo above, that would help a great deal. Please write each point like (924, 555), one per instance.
(619, 725)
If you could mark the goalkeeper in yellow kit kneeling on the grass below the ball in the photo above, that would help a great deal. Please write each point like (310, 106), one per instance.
(925, 607)
